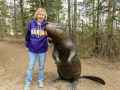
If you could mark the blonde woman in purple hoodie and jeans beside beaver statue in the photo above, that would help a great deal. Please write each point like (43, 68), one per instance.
(37, 44)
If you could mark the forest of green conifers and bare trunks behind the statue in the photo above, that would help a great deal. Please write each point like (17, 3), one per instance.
(93, 25)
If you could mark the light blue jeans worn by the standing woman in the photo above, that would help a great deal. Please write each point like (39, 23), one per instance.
(32, 59)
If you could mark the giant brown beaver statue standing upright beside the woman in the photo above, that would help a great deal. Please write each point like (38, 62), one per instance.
(65, 56)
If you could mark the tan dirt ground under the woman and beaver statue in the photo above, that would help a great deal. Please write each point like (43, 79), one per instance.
(14, 64)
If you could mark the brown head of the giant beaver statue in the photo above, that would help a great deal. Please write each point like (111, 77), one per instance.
(56, 31)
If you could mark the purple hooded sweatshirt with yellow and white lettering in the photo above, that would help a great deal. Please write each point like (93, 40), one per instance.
(36, 42)
